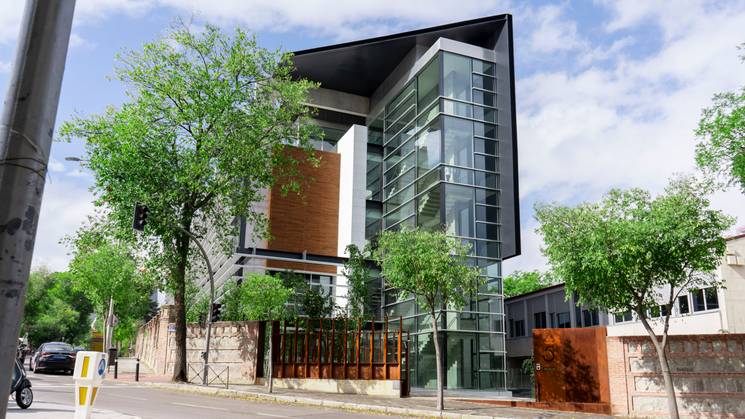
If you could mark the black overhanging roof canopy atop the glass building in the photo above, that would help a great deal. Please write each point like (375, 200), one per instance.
(359, 67)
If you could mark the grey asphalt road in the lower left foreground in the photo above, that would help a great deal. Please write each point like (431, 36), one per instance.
(53, 398)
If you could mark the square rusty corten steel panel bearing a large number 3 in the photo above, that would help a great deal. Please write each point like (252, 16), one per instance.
(571, 365)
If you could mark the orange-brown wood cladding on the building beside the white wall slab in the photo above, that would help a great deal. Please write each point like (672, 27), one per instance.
(308, 221)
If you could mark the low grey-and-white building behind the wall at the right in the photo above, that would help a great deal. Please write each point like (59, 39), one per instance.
(695, 311)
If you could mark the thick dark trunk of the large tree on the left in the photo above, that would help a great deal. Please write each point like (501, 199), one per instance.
(179, 296)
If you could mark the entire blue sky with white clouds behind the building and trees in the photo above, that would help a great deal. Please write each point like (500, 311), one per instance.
(608, 93)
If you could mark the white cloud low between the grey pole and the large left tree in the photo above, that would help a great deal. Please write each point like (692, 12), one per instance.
(65, 206)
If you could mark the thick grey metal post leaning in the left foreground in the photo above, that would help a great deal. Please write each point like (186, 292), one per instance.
(26, 130)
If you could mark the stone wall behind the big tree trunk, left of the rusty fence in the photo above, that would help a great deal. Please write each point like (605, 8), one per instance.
(232, 345)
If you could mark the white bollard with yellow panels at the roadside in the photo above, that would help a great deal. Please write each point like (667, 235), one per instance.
(90, 369)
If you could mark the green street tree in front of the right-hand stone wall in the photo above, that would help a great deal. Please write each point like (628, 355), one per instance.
(632, 252)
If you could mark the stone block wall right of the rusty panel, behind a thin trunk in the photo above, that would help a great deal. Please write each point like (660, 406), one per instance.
(708, 375)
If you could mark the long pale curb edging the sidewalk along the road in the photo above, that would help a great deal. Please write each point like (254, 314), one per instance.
(307, 401)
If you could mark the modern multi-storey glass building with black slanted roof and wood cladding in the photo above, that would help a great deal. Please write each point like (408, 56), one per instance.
(420, 132)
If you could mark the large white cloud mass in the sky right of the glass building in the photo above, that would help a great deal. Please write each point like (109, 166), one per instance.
(628, 123)
